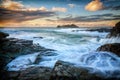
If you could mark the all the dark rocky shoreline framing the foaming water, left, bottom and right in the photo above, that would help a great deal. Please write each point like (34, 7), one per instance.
(12, 47)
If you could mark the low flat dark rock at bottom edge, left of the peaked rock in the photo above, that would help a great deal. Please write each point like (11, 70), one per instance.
(35, 73)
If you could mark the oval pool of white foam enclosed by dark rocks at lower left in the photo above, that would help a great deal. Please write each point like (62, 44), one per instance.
(22, 62)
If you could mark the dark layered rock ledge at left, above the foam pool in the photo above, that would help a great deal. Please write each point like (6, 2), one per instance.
(13, 47)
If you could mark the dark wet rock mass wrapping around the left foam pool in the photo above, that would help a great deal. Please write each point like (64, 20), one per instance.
(11, 48)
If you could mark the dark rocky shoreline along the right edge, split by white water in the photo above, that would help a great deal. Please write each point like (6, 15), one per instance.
(112, 47)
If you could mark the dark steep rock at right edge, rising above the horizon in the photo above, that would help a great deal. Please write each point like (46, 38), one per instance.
(115, 32)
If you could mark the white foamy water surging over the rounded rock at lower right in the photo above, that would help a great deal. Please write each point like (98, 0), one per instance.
(105, 63)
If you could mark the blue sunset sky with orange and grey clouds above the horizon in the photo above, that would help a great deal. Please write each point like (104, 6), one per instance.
(50, 13)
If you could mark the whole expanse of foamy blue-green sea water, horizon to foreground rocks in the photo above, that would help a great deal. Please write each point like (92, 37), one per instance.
(74, 45)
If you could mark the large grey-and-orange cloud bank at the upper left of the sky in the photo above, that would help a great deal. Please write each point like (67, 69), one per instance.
(12, 11)
